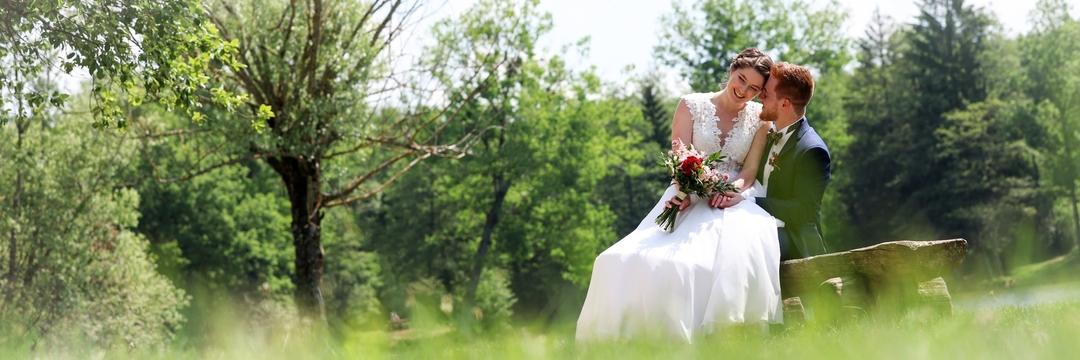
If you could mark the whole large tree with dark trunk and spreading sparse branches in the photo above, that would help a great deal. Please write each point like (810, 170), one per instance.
(320, 73)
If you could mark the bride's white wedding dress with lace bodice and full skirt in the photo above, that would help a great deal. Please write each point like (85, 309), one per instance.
(720, 266)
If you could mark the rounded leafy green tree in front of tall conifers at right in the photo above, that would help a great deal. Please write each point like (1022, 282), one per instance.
(987, 191)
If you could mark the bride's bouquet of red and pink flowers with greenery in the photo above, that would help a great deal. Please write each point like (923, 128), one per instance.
(695, 175)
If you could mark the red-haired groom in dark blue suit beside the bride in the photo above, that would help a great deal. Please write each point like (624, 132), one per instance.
(795, 167)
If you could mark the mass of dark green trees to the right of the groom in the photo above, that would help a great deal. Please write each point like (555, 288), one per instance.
(978, 119)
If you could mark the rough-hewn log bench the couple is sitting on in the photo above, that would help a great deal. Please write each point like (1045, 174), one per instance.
(896, 275)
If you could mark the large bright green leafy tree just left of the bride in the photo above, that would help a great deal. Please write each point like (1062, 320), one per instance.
(531, 203)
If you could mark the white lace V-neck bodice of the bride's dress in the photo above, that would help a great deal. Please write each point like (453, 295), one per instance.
(708, 137)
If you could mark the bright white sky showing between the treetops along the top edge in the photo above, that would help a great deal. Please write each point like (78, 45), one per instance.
(625, 32)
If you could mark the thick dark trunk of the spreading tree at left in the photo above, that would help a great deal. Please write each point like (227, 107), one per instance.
(302, 180)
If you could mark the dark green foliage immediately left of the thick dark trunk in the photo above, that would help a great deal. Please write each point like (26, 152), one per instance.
(232, 230)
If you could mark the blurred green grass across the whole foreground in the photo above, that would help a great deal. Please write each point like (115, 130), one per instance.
(1047, 331)
